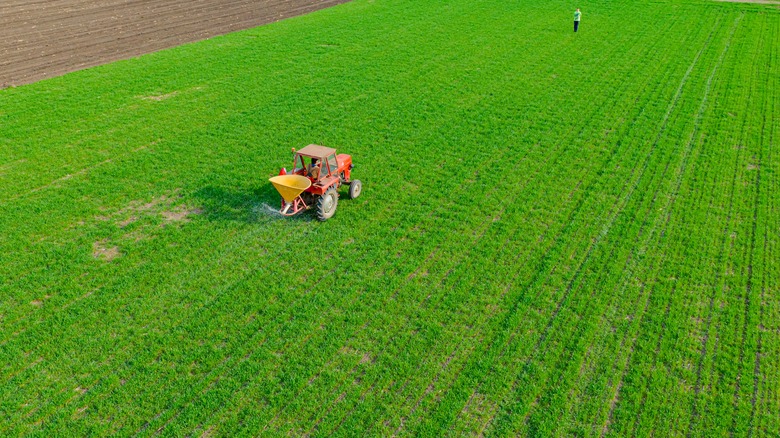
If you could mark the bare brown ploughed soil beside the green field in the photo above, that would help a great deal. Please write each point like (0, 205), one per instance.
(45, 38)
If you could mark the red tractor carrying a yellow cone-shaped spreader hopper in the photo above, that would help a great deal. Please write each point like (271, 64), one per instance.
(316, 175)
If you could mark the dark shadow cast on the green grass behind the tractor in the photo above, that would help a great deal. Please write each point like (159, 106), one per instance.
(239, 204)
